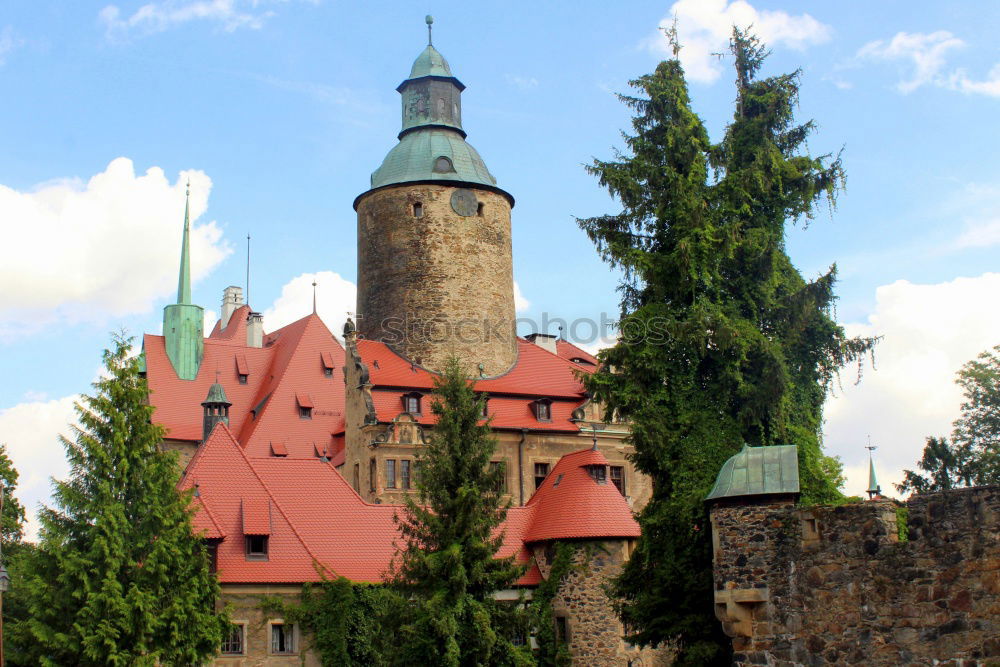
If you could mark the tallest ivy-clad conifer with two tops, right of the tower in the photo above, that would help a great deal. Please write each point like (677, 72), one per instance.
(722, 341)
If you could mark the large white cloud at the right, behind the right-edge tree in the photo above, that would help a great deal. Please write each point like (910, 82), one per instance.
(930, 331)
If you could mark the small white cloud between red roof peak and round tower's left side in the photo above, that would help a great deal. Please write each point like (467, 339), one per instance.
(335, 298)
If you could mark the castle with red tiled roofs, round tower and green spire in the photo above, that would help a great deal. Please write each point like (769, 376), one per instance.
(299, 448)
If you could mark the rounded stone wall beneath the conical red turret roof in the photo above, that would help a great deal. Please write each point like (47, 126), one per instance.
(594, 633)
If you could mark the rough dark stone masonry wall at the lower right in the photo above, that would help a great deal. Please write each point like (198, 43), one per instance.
(834, 585)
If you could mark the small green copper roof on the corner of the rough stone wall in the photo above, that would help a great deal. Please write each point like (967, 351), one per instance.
(758, 471)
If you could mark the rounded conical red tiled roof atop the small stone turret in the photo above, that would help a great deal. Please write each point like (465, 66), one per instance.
(571, 504)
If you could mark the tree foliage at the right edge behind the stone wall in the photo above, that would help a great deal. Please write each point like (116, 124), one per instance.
(973, 456)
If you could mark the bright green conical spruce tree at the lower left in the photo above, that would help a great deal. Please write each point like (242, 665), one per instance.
(119, 578)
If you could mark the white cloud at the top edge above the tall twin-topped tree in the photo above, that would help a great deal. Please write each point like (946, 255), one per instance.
(705, 26)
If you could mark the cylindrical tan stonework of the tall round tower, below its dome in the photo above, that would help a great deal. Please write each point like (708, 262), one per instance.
(440, 284)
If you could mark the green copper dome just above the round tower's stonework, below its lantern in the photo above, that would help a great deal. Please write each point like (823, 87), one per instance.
(415, 156)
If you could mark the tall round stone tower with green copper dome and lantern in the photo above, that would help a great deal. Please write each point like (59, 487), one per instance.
(435, 275)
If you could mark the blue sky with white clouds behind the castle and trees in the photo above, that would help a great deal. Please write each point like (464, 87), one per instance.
(278, 111)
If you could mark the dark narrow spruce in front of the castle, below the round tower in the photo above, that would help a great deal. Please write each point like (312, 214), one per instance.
(447, 567)
